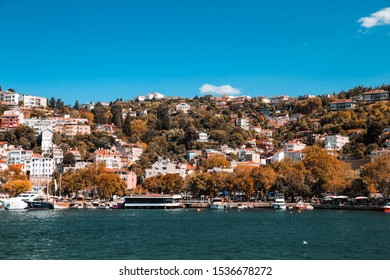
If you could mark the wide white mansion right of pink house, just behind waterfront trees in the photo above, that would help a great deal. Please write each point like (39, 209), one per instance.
(164, 167)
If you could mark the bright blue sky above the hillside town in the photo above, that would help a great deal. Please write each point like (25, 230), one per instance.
(103, 50)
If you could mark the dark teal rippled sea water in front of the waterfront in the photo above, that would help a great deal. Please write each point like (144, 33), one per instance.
(186, 234)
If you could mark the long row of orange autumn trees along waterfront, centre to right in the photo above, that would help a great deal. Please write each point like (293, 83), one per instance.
(318, 173)
